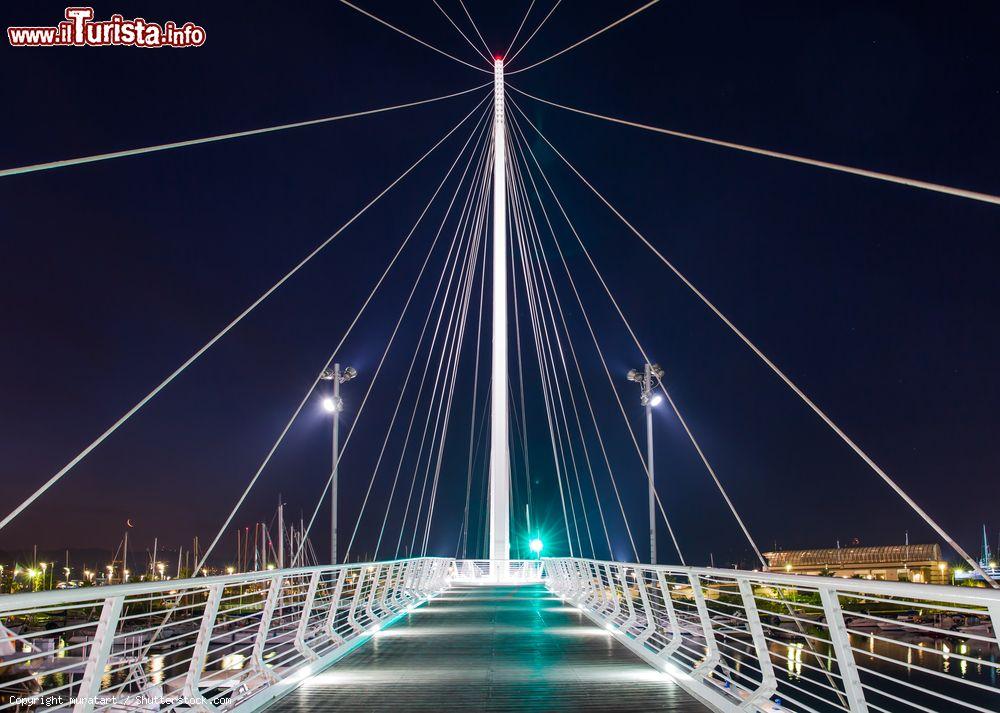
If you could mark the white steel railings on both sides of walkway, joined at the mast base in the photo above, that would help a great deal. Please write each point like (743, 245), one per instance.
(240, 641)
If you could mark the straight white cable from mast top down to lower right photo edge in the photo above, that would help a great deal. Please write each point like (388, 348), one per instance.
(771, 365)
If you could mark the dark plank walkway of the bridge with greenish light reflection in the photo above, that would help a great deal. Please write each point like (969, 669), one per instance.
(494, 649)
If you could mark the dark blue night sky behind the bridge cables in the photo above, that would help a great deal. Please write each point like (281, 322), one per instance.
(879, 300)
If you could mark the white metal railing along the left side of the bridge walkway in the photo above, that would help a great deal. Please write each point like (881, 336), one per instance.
(232, 642)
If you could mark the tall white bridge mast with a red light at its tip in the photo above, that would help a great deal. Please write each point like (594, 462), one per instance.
(499, 455)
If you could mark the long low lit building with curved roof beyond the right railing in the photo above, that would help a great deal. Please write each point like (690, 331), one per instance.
(903, 563)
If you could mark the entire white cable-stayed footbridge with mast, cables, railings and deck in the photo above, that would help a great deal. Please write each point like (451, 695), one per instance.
(415, 628)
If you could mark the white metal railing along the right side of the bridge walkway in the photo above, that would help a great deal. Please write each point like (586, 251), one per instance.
(766, 641)
